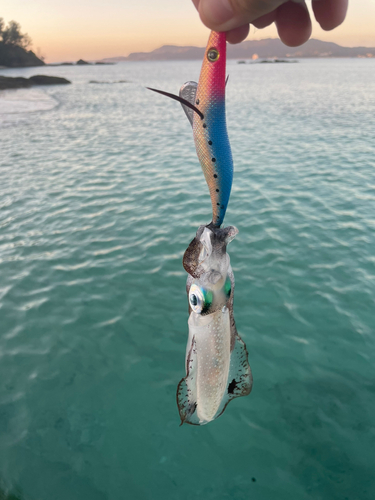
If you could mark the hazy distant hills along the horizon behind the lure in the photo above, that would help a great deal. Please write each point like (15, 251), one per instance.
(269, 47)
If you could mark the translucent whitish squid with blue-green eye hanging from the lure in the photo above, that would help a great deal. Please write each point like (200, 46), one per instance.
(217, 369)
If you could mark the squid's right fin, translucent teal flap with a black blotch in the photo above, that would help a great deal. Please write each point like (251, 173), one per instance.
(240, 379)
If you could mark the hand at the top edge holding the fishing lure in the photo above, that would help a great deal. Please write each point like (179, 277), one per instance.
(291, 17)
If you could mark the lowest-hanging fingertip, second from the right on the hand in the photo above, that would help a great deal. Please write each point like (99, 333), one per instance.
(293, 24)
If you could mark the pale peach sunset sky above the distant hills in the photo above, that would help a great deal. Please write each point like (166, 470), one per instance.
(66, 30)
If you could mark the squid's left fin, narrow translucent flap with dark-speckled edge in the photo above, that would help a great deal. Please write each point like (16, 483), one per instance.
(186, 390)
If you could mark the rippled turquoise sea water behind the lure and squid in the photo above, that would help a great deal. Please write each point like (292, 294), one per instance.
(100, 194)
